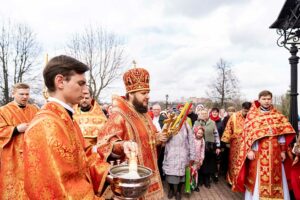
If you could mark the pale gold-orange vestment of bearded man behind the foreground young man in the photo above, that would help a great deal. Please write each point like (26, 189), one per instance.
(90, 122)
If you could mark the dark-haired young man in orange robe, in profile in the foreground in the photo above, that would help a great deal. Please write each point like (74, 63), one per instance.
(56, 165)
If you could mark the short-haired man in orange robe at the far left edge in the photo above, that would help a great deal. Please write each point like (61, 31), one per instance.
(14, 119)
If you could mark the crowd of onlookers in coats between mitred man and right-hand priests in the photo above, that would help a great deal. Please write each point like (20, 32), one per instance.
(197, 144)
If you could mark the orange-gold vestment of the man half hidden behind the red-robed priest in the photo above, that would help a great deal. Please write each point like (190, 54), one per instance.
(233, 135)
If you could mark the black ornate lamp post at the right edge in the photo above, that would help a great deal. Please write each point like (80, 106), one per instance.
(288, 29)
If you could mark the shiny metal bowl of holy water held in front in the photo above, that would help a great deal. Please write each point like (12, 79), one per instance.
(129, 181)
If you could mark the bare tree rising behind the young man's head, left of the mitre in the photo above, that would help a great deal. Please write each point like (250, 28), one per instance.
(103, 52)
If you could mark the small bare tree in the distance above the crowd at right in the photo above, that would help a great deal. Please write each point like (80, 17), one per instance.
(224, 87)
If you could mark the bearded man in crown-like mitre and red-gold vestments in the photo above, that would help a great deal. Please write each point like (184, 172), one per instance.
(130, 121)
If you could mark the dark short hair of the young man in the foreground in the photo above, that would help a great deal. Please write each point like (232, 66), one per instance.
(64, 65)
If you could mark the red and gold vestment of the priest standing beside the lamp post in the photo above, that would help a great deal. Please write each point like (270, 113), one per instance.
(265, 128)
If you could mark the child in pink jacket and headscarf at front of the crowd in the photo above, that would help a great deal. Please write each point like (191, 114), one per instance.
(200, 149)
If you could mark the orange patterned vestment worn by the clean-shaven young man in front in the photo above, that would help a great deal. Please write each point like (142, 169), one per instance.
(56, 166)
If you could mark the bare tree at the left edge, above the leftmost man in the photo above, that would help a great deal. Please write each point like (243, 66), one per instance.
(19, 50)
